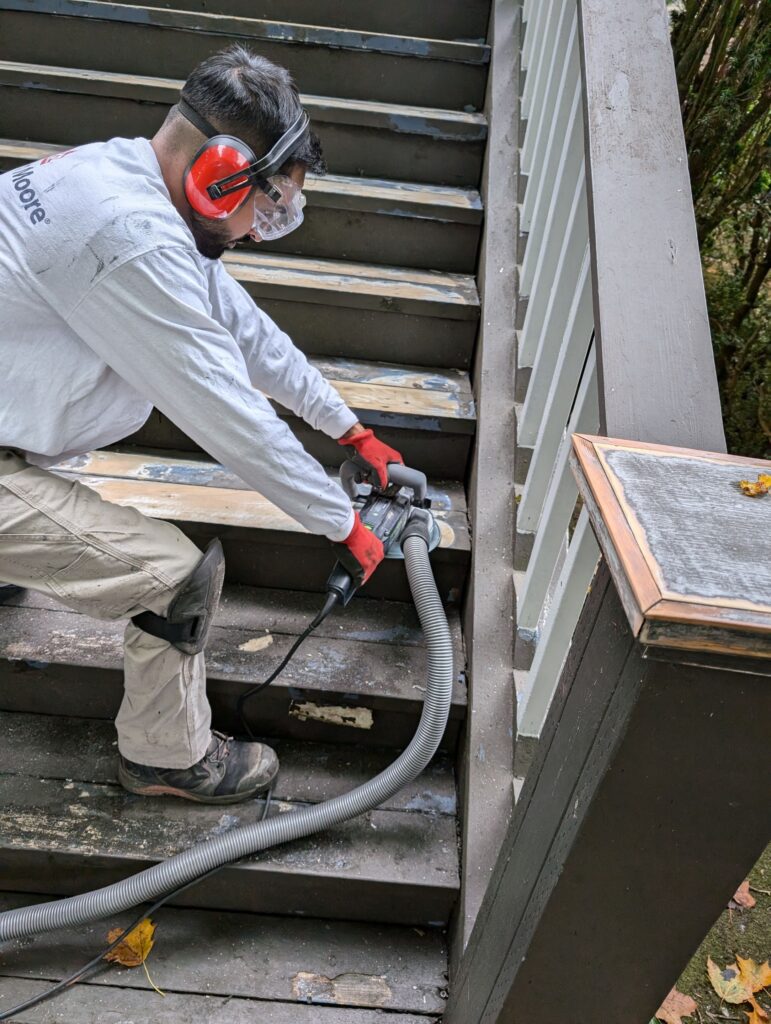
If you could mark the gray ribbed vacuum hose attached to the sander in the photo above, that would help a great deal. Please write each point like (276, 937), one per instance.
(186, 867)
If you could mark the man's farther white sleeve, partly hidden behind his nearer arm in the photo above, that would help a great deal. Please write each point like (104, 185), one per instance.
(276, 365)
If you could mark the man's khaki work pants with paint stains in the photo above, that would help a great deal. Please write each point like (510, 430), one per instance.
(109, 562)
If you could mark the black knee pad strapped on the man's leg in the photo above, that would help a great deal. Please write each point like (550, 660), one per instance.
(191, 615)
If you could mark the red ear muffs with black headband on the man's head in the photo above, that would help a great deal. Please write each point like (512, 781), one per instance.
(224, 173)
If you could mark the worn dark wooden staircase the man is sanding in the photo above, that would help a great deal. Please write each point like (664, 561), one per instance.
(378, 288)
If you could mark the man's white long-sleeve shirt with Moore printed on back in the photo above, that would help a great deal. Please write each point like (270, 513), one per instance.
(107, 309)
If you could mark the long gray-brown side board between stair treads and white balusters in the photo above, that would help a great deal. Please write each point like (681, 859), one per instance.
(487, 771)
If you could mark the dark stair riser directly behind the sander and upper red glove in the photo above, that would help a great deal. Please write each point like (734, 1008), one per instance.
(440, 454)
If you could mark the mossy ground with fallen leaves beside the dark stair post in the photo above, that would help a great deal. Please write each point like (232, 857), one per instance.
(744, 932)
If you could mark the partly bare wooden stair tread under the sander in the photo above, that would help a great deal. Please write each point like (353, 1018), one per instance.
(126, 484)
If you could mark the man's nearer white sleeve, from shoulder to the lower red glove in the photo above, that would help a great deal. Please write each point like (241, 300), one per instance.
(151, 321)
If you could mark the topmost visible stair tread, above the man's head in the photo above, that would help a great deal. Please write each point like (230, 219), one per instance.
(262, 29)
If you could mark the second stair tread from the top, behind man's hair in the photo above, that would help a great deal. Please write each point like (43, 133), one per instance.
(414, 119)
